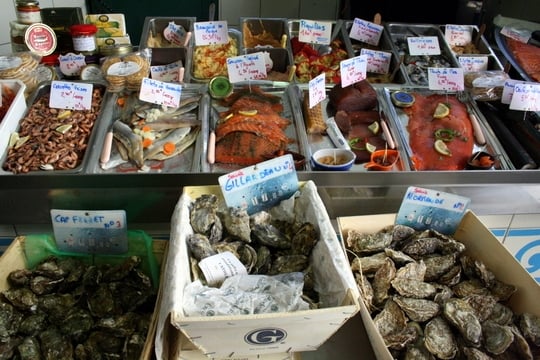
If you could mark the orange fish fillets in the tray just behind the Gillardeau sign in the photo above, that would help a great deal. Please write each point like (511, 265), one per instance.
(254, 124)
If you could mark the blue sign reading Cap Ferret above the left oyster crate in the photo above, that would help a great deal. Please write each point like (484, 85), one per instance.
(90, 231)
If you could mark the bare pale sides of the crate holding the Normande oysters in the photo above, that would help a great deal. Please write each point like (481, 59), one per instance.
(480, 243)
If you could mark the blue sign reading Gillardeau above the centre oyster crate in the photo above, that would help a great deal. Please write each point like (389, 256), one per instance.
(260, 186)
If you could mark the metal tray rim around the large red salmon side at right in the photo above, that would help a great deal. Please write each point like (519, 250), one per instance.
(400, 121)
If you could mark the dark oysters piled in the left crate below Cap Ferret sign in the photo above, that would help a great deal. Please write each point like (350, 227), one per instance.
(65, 309)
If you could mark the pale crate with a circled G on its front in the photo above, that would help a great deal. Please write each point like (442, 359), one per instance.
(275, 335)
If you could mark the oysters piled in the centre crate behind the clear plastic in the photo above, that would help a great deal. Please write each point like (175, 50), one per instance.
(265, 244)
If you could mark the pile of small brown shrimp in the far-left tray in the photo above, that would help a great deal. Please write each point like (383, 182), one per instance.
(52, 139)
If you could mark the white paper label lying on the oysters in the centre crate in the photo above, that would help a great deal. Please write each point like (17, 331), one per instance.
(217, 268)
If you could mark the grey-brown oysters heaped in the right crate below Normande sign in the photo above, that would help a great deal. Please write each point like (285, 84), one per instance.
(428, 299)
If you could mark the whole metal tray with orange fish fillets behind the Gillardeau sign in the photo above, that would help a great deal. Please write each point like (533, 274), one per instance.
(257, 121)
